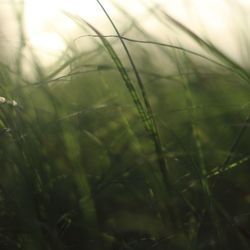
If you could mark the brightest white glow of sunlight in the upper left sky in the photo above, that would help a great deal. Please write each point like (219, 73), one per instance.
(47, 26)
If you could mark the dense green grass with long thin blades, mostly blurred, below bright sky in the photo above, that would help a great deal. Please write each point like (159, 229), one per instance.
(135, 144)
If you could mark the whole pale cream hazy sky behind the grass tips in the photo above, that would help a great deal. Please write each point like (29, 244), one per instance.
(46, 24)
